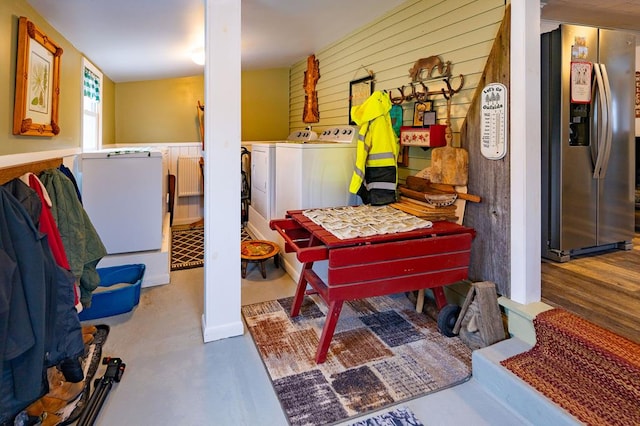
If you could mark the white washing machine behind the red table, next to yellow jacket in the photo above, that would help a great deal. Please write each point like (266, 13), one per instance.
(314, 174)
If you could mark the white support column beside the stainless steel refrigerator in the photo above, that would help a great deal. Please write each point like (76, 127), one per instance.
(525, 151)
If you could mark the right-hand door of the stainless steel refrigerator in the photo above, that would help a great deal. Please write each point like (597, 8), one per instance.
(616, 195)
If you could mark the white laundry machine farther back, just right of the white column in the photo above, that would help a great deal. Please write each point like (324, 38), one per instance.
(263, 184)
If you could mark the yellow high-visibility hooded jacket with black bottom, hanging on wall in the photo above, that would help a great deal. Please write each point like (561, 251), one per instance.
(375, 175)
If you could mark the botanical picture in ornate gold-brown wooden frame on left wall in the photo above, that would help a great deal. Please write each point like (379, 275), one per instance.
(37, 82)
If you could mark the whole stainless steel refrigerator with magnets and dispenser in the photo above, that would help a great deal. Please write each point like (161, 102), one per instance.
(588, 150)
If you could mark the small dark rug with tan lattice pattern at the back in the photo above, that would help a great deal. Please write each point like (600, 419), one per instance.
(187, 247)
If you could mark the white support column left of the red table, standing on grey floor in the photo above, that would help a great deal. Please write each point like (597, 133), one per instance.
(222, 282)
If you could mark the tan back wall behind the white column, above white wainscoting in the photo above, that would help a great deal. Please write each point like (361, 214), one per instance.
(165, 110)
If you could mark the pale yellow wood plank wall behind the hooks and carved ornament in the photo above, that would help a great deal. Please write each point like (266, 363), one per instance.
(460, 31)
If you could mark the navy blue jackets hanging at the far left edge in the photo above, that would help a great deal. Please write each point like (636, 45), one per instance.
(42, 328)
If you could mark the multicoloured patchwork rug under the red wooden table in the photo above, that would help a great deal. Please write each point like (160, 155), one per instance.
(382, 353)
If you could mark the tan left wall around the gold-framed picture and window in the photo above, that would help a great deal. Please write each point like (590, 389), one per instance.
(70, 86)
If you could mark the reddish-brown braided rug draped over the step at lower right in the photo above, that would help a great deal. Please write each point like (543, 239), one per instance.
(589, 371)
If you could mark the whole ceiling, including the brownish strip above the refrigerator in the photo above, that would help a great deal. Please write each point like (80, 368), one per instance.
(132, 40)
